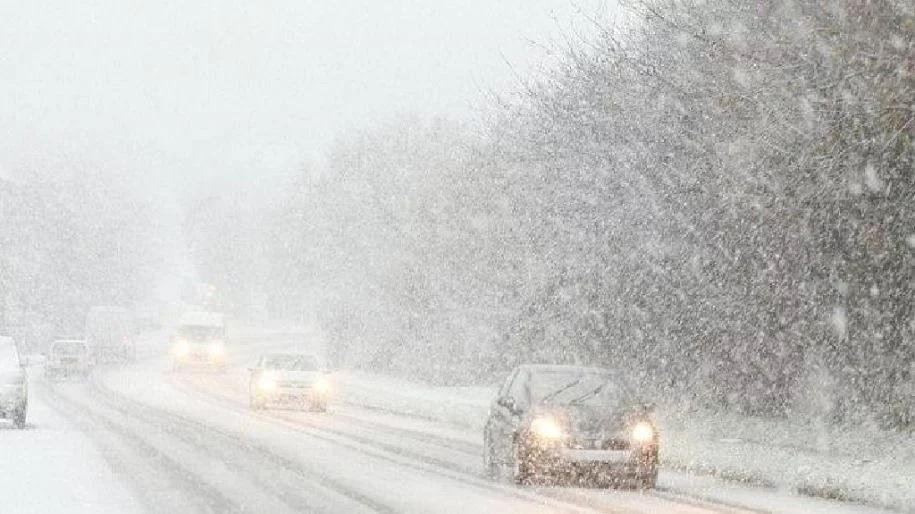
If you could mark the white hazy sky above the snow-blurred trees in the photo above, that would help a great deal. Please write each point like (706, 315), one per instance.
(194, 91)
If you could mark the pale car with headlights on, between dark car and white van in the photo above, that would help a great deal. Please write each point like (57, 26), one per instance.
(289, 379)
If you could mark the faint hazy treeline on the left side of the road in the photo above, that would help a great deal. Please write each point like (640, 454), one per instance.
(70, 239)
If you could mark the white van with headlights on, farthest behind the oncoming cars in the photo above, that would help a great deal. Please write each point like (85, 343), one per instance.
(199, 342)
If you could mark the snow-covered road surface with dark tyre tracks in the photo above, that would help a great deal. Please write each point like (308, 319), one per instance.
(189, 443)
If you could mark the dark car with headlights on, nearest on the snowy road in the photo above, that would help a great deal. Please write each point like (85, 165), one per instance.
(579, 423)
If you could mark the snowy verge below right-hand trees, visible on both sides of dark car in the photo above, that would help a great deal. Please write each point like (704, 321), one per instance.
(863, 466)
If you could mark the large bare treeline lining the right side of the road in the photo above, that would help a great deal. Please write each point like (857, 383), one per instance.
(717, 196)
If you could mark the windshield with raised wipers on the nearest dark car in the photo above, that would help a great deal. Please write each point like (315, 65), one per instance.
(572, 387)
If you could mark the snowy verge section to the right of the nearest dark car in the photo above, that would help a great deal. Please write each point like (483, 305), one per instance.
(864, 464)
